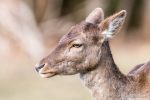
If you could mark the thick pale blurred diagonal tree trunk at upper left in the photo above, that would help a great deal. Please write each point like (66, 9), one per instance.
(22, 27)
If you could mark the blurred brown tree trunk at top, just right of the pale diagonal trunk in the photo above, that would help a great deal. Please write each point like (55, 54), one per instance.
(47, 9)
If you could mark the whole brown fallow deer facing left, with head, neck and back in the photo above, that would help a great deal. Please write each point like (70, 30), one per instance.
(85, 50)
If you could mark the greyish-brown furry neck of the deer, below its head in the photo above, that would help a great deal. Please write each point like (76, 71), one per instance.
(106, 78)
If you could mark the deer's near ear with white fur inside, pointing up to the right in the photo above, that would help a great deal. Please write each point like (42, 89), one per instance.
(111, 25)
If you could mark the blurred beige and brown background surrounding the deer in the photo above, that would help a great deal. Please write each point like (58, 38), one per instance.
(29, 29)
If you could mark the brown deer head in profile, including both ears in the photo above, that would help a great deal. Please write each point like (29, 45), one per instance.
(79, 50)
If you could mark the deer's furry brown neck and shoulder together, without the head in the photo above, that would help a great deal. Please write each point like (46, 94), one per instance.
(107, 82)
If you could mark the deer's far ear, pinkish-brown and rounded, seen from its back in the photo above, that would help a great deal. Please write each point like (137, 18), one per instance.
(95, 17)
